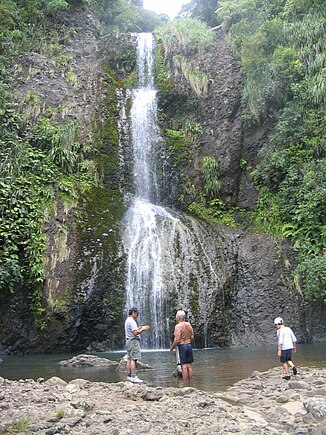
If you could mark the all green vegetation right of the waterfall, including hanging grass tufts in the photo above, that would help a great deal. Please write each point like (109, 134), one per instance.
(281, 45)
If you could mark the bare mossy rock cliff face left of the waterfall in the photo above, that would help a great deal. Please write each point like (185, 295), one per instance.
(83, 268)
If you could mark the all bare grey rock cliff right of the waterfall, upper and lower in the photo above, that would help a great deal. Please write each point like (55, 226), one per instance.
(255, 271)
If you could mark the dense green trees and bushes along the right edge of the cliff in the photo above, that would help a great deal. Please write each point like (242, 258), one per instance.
(282, 48)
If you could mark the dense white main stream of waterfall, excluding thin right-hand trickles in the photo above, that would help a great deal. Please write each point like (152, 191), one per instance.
(143, 233)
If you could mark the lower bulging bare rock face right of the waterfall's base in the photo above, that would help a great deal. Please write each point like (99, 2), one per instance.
(252, 286)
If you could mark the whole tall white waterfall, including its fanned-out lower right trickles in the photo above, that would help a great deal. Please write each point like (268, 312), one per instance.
(167, 267)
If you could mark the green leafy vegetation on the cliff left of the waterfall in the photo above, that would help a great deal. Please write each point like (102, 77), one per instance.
(42, 157)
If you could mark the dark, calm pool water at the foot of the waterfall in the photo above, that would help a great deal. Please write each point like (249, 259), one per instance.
(213, 370)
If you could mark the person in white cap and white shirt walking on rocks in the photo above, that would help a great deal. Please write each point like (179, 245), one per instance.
(286, 343)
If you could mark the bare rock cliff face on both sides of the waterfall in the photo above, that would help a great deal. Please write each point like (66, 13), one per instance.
(84, 294)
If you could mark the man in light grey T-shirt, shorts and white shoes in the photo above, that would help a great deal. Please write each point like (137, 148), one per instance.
(132, 332)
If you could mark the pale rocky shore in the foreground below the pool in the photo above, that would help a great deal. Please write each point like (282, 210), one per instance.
(264, 403)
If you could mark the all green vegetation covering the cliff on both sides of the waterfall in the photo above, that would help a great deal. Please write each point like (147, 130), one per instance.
(281, 46)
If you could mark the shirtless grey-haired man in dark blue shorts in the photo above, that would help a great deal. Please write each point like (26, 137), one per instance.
(183, 338)
